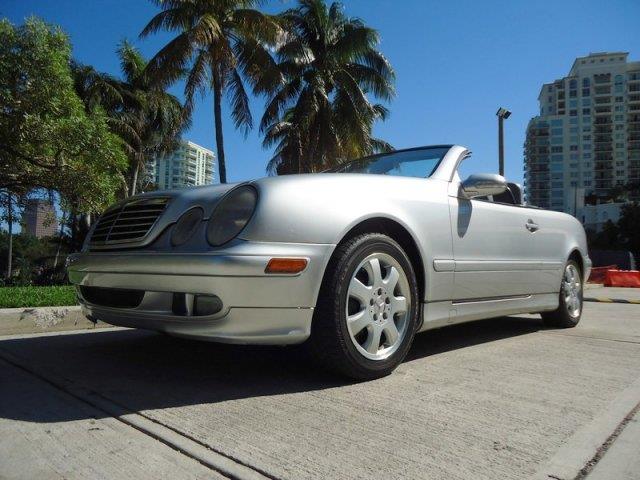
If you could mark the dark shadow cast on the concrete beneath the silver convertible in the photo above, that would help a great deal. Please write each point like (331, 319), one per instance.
(146, 371)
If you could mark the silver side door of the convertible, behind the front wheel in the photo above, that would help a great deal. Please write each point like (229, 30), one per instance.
(493, 249)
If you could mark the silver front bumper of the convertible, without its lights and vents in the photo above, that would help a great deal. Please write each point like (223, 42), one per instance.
(256, 307)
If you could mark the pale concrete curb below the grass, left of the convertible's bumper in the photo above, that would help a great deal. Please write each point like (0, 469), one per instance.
(44, 319)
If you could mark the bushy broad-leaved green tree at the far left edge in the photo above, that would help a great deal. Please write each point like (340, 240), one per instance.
(47, 139)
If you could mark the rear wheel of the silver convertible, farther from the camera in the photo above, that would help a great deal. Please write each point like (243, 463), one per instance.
(569, 310)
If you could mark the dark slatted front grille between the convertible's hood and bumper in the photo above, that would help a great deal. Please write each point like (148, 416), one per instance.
(128, 223)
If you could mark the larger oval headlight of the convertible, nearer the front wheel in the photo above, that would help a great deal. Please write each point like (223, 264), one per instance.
(231, 215)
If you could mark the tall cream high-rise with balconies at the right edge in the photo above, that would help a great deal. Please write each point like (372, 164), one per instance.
(586, 141)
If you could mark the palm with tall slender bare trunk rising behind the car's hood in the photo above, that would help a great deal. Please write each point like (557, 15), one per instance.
(217, 43)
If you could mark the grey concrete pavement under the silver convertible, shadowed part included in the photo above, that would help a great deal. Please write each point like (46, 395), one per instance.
(501, 398)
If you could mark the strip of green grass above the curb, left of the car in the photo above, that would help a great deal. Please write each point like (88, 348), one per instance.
(25, 297)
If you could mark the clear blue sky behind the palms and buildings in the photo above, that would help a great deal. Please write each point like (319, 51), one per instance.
(456, 62)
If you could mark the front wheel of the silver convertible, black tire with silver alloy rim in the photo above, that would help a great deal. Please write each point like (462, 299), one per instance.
(358, 308)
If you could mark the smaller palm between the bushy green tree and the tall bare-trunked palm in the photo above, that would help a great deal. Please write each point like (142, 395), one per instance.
(147, 118)
